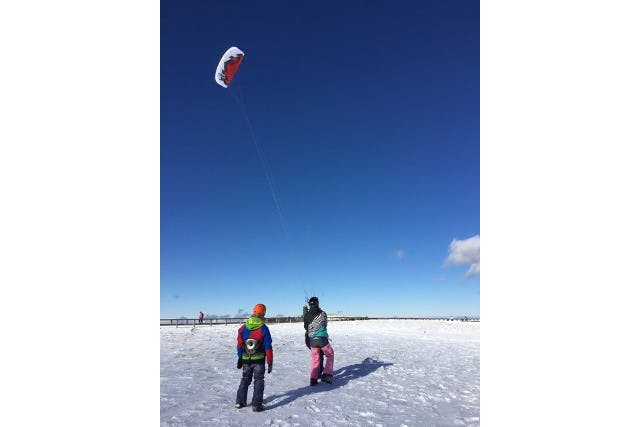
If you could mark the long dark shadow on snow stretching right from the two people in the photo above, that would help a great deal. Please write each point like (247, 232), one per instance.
(340, 377)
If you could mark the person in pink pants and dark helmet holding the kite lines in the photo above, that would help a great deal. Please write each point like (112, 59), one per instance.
(315, 325)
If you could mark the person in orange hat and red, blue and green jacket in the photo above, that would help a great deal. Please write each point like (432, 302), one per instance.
(254, 345)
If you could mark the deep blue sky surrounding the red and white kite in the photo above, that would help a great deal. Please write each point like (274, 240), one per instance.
(368, 118)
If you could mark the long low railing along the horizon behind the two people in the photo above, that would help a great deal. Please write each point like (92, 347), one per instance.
(294, 319)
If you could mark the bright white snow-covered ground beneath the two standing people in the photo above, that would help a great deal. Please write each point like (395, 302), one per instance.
(386, 373)
